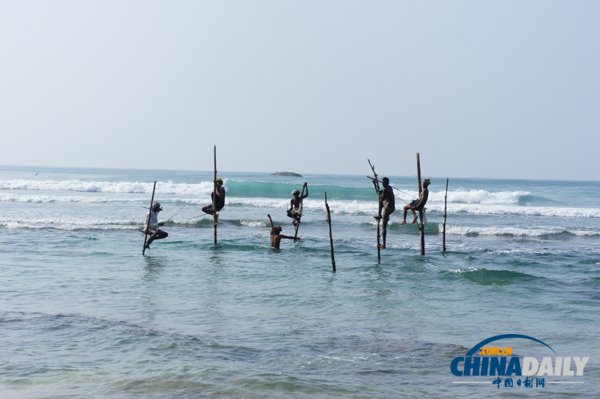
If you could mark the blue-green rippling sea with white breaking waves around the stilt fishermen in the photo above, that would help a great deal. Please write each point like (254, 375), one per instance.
(84, 314)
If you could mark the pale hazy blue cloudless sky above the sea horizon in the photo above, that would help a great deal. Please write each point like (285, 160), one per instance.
(482, 89)
